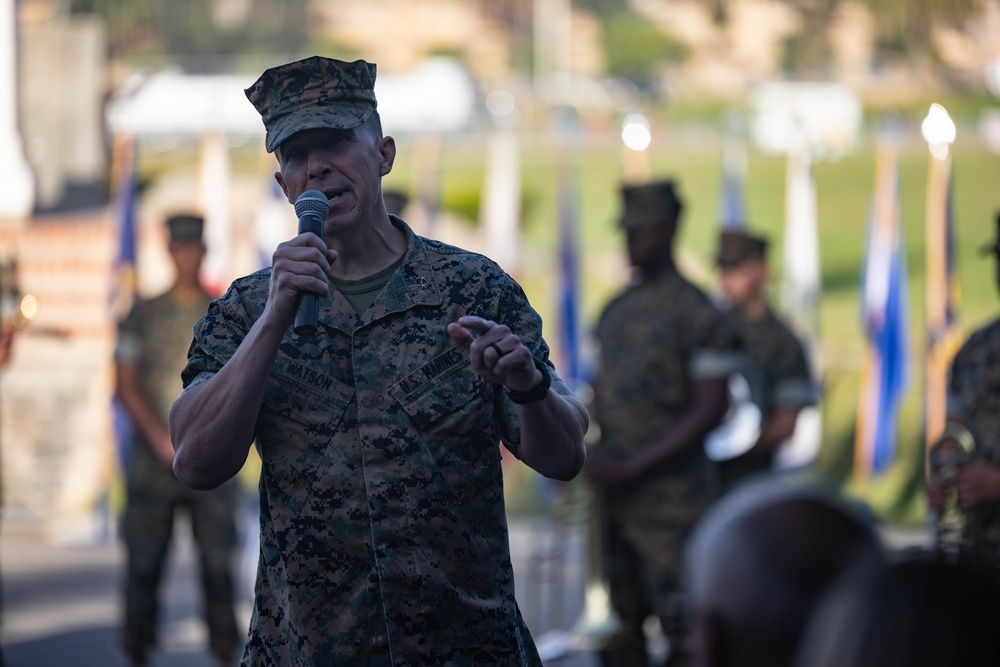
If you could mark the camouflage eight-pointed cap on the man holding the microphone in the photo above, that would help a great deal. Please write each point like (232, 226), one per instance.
(314, 93)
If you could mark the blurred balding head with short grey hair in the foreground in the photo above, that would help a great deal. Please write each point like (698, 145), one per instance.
(760, 561)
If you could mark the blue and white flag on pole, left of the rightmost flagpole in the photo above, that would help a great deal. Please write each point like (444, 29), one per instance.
(885, 321)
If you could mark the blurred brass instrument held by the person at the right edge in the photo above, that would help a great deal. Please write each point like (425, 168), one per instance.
(957, 531)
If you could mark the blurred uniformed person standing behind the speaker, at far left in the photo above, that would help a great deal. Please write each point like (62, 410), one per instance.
(150, 354)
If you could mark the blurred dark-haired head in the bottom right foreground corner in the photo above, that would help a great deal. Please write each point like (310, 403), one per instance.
(916, 613)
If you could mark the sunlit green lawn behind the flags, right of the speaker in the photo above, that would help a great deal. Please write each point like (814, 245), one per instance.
(844, 190)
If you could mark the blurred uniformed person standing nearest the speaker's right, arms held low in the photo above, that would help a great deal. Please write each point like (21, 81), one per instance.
(659, 388)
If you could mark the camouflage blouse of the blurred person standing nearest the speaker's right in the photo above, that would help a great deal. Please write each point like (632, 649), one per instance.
(656, 339)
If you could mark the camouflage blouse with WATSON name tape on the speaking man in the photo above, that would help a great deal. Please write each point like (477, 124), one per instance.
(383, 529)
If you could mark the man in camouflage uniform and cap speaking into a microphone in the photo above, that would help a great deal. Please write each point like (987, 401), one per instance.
(383, 530)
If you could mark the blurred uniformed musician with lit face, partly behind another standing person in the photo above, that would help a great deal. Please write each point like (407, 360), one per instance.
(775, 362)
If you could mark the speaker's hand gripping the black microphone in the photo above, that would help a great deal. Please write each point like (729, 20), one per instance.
(301, 264)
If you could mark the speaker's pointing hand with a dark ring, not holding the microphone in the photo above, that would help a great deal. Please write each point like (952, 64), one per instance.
(496, 353)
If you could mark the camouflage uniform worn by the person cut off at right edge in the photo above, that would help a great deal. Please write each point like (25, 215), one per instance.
(974, 399)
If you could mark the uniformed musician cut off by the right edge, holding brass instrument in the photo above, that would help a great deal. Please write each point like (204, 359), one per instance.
(973, 406)
